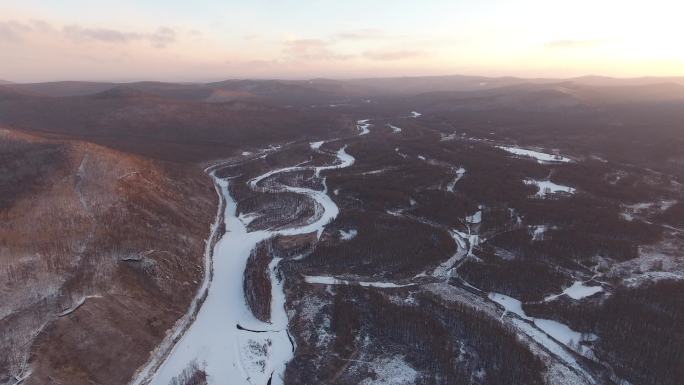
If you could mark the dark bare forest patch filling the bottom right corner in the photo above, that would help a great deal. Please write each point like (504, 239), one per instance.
(640, 330)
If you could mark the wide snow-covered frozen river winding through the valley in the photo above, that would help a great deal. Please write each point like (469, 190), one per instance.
(254, 352)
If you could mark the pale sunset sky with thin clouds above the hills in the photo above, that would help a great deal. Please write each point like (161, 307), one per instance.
(205, 40)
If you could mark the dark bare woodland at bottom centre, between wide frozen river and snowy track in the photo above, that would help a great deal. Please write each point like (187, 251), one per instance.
(448, 343)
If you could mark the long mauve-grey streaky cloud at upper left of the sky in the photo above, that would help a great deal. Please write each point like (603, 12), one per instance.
(160, 38)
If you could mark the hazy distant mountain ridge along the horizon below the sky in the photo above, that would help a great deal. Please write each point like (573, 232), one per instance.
(321, 91)
